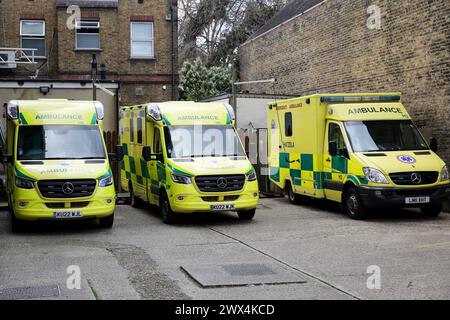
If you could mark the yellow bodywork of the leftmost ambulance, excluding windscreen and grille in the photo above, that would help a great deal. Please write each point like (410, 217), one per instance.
(30, 204)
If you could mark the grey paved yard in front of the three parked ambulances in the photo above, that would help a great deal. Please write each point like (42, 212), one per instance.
(288, 252)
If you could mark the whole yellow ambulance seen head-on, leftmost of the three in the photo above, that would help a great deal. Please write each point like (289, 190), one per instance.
(57, 162)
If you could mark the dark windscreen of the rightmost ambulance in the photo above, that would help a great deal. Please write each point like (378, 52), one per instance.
(386, 135)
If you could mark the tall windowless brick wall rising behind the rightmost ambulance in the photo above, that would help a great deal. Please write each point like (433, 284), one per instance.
(328, 47)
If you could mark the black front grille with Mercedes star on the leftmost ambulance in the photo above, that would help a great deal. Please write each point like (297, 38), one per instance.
(54, 188)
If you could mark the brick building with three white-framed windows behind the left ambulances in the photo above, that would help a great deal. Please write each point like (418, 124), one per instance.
(135, 43)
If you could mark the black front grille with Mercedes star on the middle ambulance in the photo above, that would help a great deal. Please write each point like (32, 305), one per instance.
(225, 183)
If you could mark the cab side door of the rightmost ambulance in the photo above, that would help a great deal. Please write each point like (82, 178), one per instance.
(335, 166)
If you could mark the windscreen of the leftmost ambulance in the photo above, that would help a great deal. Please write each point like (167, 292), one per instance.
(60, 142)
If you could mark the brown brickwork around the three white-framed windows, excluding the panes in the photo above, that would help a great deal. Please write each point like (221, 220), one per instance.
(66, 63)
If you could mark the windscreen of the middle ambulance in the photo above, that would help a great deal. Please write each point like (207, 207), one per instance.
(202, 141)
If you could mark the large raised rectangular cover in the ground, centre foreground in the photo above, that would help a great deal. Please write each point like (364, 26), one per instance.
(241, 274)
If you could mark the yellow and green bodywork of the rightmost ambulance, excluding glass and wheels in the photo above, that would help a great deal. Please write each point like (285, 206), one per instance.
(303, 160)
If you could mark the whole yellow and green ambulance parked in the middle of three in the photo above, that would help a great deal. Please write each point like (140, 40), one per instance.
(186, 157)
